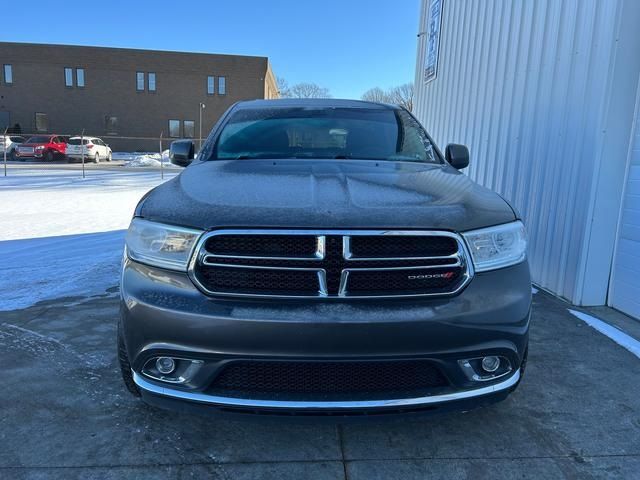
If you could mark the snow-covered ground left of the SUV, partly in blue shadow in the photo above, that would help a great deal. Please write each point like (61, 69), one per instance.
(62, 235)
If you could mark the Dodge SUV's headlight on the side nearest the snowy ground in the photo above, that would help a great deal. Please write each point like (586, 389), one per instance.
(160, 245)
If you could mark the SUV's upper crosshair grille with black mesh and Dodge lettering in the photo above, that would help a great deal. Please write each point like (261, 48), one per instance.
(299, 263)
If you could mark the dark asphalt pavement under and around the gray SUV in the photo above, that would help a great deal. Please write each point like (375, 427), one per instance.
(65, 414)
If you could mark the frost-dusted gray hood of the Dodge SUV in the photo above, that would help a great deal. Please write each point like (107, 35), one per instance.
(323, 194)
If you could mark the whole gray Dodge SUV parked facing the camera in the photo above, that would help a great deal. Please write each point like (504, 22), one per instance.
(323, 258)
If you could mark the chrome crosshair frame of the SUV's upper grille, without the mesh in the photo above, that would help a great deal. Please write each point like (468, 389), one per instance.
(460, 259)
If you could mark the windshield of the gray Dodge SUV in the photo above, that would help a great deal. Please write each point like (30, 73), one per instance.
(302, 132)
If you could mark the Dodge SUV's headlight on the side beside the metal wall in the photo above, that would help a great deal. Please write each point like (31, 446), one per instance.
(497, 247)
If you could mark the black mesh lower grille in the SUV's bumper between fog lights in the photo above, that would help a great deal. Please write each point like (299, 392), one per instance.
(334, 380)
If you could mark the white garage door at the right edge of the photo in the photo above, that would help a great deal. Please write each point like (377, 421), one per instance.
(624, 291)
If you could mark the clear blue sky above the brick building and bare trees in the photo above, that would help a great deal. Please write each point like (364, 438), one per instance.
(347, 46)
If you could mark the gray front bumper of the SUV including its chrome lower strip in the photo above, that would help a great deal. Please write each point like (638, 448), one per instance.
(164, 314)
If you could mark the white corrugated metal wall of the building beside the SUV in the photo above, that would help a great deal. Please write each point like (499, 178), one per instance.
(527, 86)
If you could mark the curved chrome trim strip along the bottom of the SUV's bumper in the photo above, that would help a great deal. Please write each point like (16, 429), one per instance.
(301, 405)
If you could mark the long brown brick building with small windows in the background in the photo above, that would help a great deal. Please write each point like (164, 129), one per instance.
(127, 97)
